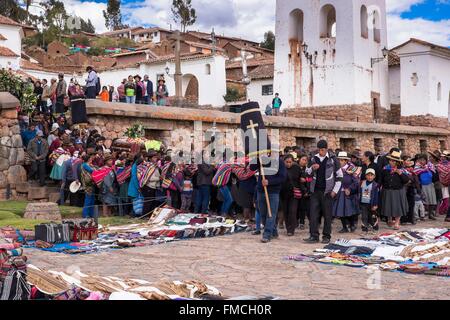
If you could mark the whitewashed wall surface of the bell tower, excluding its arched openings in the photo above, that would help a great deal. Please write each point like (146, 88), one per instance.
(343, 77)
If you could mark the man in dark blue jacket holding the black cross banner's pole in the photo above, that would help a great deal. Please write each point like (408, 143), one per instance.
(275, 174)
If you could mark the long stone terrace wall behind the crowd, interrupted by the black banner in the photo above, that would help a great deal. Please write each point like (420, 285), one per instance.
(113, 118)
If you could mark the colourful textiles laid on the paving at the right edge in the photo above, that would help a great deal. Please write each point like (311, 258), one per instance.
(423, 251)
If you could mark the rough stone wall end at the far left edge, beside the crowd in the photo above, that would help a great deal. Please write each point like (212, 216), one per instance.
(11, 151)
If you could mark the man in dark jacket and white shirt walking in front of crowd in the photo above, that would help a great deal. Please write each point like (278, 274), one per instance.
(327, 180)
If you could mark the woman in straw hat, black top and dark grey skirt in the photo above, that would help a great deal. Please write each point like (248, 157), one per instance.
(393, 180)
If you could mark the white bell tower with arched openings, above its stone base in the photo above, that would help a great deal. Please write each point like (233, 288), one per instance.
(324, 53)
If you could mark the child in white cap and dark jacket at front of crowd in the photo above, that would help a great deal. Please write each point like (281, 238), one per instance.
(369, 202)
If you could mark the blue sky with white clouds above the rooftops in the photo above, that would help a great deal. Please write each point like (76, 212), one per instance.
(425, 19)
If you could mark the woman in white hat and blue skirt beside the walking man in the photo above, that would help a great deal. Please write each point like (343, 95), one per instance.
(345, 205)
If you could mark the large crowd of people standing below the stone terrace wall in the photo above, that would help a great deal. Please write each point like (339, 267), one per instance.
(315, 187)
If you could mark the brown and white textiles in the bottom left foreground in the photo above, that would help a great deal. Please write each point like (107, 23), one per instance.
(54, 285)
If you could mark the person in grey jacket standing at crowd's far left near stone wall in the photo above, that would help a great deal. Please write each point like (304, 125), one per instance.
(38, 150)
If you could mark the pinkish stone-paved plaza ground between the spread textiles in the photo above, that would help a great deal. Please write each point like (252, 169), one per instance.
(241, 265)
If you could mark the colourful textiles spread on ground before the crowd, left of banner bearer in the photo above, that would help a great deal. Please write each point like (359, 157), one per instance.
(165, 225)
